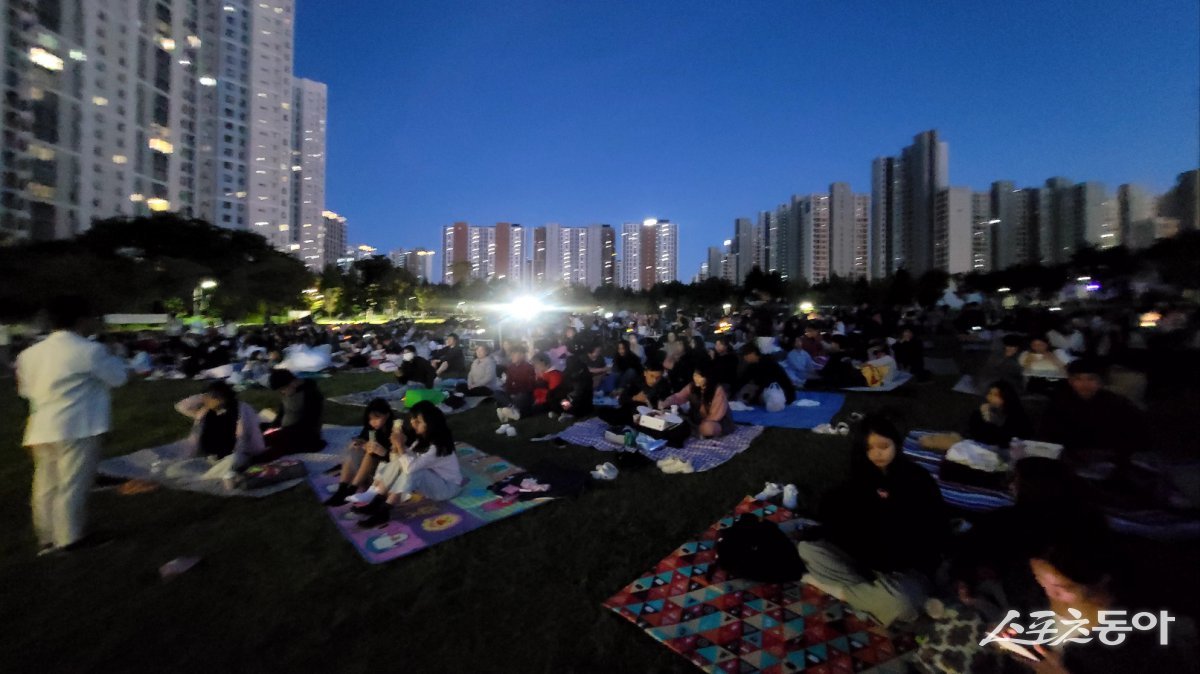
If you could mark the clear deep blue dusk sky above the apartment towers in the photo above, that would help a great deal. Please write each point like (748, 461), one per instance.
(590, 112)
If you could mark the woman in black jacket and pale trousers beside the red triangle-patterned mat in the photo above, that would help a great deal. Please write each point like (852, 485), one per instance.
(886, 529)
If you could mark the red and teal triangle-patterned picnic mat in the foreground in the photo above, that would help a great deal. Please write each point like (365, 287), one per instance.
(725, 624)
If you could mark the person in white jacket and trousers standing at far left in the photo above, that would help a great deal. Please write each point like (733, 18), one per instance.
(67, 381)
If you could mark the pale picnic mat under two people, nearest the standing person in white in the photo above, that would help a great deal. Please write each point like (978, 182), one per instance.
(169, 467)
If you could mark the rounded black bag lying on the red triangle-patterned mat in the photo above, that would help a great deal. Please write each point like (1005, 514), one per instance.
(759, 551)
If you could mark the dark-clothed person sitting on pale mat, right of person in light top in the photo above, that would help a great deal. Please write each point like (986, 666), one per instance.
(297, 428)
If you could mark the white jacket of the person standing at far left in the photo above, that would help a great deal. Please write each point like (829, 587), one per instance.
(67, 381)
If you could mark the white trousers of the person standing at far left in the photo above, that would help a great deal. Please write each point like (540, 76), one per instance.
(64, 473)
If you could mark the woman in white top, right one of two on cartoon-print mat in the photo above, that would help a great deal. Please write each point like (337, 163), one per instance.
(423, 465)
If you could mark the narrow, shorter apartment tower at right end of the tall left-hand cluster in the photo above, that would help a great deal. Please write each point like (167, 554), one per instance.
(309, 111)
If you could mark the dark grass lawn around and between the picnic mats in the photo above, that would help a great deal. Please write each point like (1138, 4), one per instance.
(279, 588)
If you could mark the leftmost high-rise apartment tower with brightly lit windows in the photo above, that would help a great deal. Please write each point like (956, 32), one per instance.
(99, 113)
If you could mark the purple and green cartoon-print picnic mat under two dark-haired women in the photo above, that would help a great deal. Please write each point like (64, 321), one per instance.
(427, 523)
